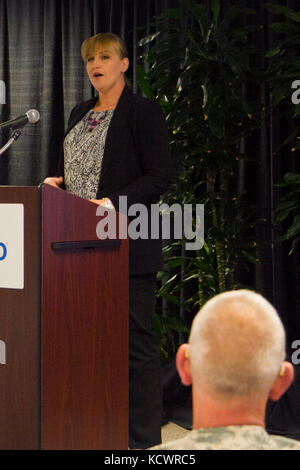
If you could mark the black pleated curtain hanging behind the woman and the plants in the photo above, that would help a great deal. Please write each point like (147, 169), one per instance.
(41, 66)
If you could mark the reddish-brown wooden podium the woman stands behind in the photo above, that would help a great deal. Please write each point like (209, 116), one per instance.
(65, 381)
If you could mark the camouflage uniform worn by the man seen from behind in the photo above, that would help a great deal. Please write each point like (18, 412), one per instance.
(248, 437)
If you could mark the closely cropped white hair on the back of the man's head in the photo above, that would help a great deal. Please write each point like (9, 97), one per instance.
(237, 345)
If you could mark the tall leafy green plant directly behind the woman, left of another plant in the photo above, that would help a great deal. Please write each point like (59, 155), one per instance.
(198, 65)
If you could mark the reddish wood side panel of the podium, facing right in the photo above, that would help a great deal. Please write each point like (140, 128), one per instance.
(84, 329)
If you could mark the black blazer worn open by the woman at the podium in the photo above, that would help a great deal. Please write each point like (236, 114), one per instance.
(136, 163)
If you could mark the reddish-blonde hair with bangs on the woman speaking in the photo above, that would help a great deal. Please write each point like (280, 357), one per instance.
(90, 45)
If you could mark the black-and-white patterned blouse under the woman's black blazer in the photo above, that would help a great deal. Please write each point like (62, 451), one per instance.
(83, 153)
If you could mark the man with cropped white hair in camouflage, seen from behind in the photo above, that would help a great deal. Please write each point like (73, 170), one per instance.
(235, 362)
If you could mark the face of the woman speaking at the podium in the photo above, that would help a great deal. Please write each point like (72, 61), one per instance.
(105, 68)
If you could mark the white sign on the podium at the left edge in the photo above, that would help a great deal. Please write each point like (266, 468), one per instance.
(12, 246)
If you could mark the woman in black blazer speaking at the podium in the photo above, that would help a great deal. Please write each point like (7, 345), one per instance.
(116, 145)
